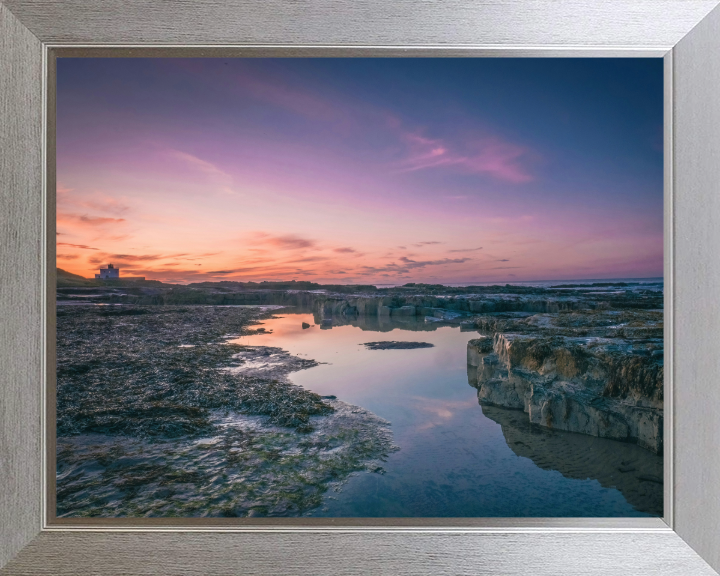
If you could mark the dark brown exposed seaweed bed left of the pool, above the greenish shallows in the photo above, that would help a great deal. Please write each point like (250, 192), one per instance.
(158, 371)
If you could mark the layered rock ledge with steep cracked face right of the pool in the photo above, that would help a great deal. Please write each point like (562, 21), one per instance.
(594, 372)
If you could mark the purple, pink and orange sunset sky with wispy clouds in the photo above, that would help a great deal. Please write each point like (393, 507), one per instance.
(373, 171)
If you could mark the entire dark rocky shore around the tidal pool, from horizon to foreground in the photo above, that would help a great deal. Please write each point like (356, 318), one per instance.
(156, 375)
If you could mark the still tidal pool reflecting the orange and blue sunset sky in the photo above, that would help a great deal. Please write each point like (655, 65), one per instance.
(456, 458)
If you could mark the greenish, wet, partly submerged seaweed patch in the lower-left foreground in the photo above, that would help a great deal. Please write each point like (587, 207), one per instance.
(243, 468)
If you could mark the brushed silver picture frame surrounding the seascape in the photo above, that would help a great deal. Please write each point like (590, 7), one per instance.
(685, 33)
